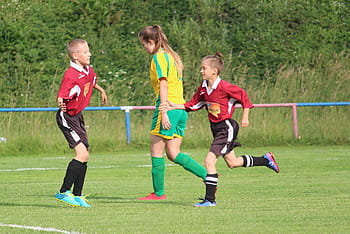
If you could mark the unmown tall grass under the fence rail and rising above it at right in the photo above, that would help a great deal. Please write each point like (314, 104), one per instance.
(37, 133)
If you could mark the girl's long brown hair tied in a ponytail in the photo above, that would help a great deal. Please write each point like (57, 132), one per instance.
(156, 34)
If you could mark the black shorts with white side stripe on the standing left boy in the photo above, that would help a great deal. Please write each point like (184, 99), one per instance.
(73, 128)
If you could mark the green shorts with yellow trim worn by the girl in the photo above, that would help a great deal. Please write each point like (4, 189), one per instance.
(177, 118)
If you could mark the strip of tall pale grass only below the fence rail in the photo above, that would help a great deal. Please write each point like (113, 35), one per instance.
(37, 133)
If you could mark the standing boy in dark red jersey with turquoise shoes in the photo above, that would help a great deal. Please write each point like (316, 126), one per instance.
(74, 95)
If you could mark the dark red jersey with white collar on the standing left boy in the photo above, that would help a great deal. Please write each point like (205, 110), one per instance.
(76, 87)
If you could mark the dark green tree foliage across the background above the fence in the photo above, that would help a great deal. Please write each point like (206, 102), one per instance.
(257, 38)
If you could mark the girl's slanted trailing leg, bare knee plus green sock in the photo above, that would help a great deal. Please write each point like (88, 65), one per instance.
(174, 154)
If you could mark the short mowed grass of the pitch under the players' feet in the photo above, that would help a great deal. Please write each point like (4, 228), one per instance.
(310, 195)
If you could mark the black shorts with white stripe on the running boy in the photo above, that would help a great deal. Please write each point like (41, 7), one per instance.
(225, 135)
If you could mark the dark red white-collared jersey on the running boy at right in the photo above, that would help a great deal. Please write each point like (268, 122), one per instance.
(219, 101)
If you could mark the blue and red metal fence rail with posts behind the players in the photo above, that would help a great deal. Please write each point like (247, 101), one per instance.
(127, 109)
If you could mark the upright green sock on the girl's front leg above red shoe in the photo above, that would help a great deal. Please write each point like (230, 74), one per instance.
(158, 173)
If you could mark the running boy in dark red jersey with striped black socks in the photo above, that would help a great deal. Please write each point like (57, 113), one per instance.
(219, 98)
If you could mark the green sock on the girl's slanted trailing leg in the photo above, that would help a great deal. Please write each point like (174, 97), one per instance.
(191, 165)
